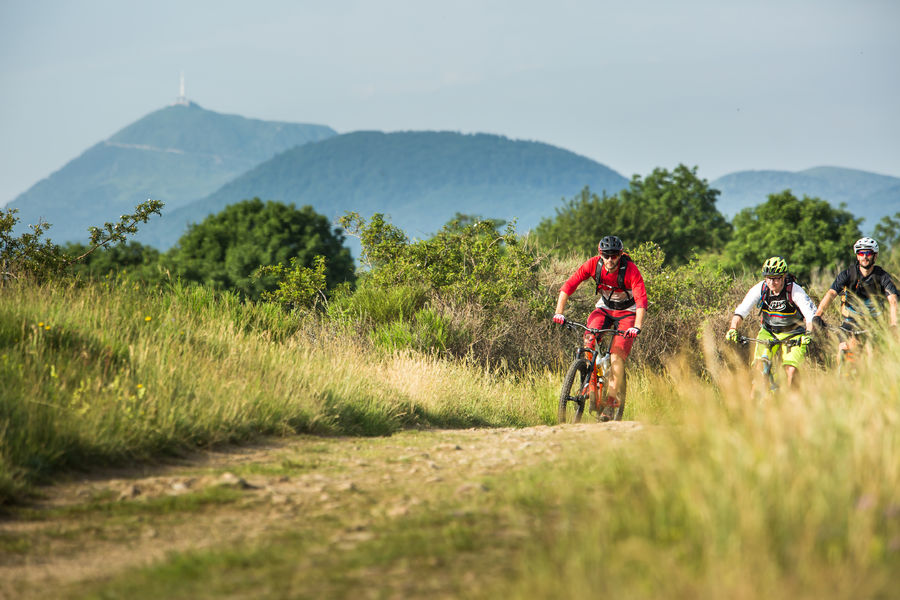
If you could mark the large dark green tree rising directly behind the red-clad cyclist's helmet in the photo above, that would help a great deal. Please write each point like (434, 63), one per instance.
(676, 210)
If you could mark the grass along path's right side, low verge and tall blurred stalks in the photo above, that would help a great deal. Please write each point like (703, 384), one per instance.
(792, 496)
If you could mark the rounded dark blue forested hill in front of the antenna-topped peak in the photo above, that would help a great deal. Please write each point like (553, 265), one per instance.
(420, 179)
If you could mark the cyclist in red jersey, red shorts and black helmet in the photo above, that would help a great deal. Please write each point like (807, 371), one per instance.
(622, 304)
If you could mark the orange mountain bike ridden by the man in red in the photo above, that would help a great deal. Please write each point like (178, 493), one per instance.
(589, 372)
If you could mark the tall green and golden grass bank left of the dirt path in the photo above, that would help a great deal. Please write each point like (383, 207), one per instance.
(106, 373)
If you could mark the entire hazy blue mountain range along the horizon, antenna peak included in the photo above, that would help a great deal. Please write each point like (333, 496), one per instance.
(198, 161)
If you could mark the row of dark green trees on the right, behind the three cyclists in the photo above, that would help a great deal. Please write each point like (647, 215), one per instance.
(677, 210)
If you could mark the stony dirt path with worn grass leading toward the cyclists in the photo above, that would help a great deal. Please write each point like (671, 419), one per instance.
(94, 528)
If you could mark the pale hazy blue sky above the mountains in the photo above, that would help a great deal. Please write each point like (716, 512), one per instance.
(724, 85)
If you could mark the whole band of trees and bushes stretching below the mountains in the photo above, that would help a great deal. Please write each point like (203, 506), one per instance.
(476, 285)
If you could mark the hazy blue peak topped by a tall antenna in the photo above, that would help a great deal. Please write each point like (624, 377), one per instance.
(176, 154)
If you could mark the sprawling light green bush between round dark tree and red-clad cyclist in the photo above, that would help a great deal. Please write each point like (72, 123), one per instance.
(468, 291)
